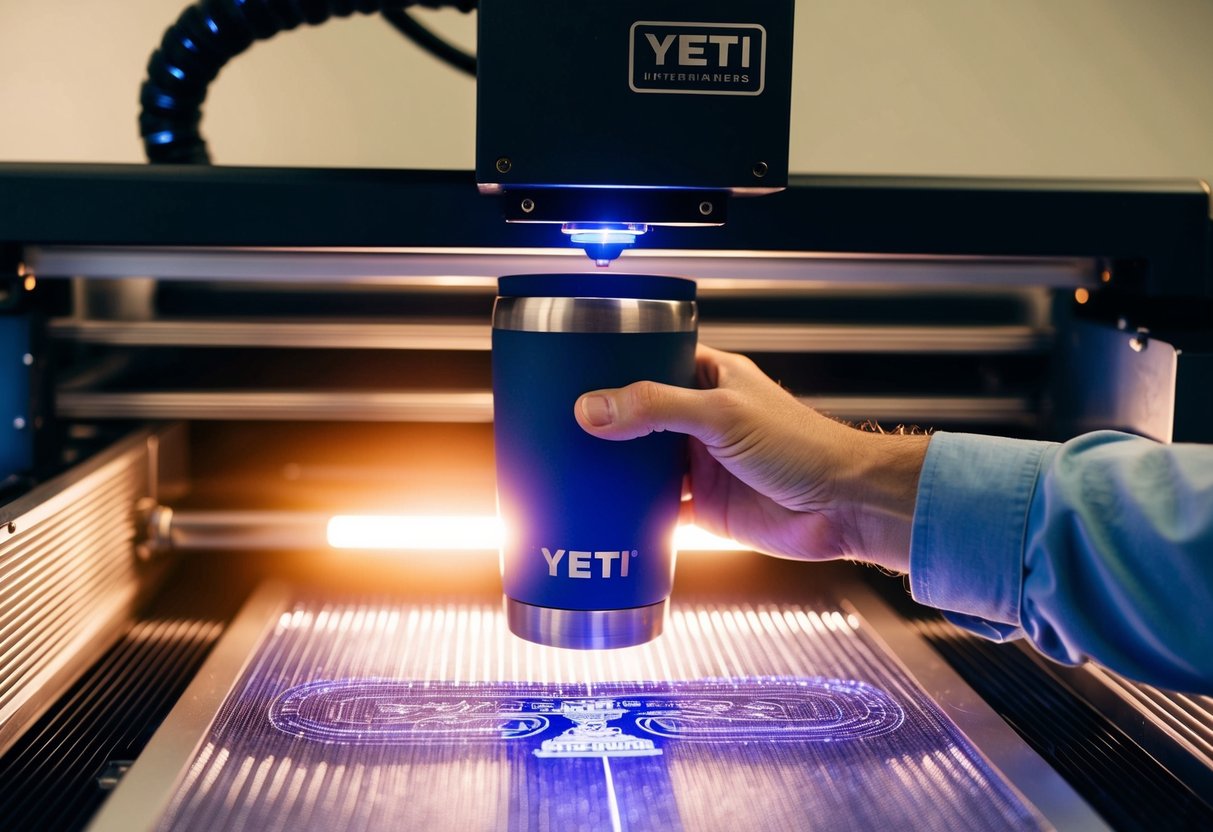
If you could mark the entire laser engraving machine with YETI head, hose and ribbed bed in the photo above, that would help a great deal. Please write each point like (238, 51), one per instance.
(249, 571)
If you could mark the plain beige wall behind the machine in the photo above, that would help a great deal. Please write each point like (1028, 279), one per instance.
(1022, 88)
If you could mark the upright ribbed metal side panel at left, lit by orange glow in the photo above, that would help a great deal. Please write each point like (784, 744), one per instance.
(67, 578)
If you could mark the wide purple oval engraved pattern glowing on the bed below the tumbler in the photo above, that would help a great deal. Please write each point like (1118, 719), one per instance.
(401, 713)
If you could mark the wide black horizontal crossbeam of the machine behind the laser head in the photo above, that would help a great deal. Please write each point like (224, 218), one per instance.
(1157, 237)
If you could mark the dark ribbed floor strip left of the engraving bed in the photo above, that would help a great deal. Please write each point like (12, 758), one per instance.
(65, 767)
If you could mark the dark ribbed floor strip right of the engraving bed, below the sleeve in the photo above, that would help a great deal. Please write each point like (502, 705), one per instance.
(1126, 784)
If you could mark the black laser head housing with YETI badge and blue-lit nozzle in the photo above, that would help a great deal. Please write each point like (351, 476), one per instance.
(610, 118)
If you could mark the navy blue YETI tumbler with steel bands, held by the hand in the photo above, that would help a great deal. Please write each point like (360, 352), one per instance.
(588, 557)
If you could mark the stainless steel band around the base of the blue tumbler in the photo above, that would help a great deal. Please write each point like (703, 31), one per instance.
(586, 630)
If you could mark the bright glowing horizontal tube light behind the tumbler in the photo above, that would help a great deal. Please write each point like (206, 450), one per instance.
(475, 532)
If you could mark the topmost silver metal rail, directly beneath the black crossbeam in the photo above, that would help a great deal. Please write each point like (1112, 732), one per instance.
(453, 269)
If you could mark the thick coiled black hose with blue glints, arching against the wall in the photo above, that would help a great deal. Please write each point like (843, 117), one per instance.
(208, 36)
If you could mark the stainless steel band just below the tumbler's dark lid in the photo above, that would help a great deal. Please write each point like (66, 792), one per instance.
(594, 315)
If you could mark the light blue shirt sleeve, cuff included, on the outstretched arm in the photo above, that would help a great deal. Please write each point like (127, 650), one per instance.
(1097, 549)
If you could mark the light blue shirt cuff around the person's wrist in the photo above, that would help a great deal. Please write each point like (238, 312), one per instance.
(971, 522)
